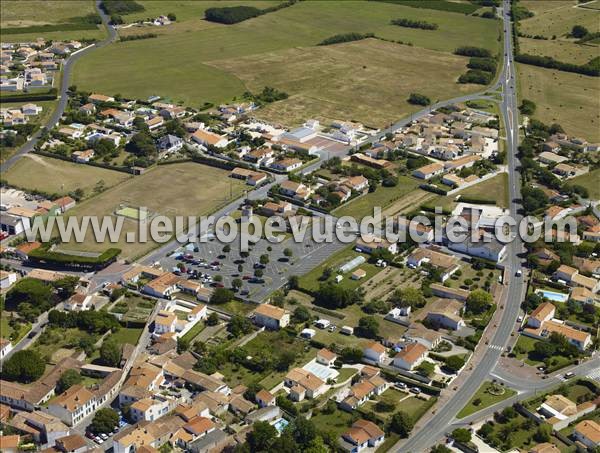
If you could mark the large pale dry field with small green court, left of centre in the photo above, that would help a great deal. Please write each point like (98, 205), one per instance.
(183, 189)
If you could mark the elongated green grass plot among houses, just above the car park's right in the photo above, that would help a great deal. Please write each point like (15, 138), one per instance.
(382, 197)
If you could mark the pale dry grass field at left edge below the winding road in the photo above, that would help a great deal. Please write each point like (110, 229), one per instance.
(55, 176)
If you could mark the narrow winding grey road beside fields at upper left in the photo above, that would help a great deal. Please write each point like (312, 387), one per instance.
(63, 96)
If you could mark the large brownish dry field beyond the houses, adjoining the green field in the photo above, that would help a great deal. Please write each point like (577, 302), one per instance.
(367, 81)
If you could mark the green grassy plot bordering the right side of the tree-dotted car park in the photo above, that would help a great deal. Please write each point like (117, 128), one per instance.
(311, 280)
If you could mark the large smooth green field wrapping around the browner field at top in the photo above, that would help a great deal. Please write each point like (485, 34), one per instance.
(179, 63)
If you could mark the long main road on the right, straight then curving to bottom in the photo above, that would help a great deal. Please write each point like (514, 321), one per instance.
(440, 422)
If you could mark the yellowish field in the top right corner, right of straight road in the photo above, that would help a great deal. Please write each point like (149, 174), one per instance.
(556, 18)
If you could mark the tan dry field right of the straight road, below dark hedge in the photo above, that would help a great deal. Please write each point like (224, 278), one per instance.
(562, 97)
